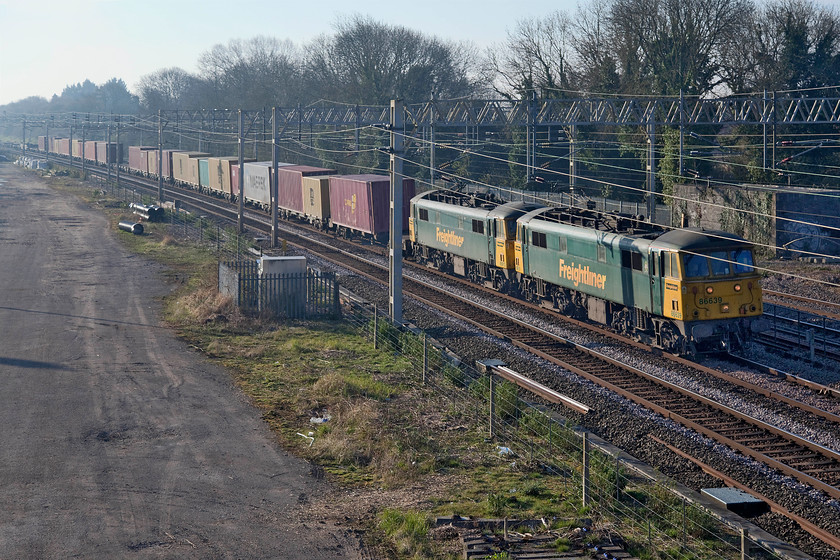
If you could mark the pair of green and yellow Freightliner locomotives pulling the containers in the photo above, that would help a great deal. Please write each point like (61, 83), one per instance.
(688, 291)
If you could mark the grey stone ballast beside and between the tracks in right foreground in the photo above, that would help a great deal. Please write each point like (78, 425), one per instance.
(628, 425)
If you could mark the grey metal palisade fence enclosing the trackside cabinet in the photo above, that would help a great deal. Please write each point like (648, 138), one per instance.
(309, 295)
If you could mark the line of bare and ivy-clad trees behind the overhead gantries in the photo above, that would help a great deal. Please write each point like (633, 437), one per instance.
(605, 47)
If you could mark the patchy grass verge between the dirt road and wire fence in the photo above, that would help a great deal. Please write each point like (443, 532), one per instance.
(400, 452)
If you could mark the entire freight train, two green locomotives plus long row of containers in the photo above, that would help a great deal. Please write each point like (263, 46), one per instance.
(686, 291)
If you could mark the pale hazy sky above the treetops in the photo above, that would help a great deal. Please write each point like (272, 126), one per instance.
(48, 44)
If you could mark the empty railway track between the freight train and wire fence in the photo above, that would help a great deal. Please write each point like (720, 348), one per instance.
(810, 463)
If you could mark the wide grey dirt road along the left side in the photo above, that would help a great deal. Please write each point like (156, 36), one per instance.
(115, 439)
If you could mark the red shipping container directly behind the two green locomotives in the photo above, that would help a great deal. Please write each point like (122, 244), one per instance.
(362, 203)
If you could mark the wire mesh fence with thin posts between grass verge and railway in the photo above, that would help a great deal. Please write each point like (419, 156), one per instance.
(656, 521)
